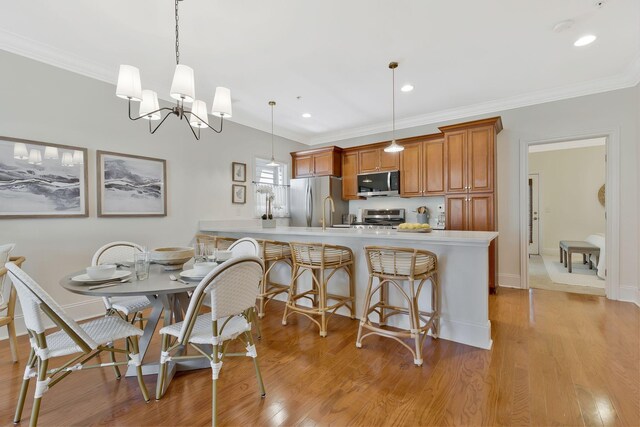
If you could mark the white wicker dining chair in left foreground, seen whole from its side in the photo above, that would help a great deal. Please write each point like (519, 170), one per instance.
(85, 341)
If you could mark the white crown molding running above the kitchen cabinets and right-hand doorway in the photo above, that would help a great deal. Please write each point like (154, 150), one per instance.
(630, 77)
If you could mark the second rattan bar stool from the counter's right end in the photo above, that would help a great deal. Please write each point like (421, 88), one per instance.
(323, 261)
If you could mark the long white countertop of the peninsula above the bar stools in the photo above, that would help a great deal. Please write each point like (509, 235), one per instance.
(447, 237)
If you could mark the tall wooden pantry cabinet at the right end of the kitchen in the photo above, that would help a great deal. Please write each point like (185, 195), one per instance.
(471, 191)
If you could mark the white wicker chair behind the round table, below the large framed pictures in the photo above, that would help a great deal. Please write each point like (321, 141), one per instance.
(116, 252)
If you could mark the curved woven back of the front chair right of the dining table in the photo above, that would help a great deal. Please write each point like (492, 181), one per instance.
(233, 287)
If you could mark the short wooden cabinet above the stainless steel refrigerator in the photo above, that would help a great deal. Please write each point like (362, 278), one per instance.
(318, 162)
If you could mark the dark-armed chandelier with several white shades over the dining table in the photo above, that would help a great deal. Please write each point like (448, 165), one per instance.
(182, 90)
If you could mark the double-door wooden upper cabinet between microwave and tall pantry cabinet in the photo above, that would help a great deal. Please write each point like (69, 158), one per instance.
(422, 169)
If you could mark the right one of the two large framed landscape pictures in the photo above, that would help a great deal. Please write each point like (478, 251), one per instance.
(131, 185)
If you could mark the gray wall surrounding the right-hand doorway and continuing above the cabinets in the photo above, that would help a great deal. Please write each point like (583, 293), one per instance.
(616, 110)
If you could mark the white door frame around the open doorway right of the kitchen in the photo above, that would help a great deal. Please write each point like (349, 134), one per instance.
(612, 205)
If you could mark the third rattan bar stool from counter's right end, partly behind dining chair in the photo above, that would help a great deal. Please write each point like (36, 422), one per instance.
(273, 253)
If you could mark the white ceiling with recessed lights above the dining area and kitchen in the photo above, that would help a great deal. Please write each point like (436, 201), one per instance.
(464, 57)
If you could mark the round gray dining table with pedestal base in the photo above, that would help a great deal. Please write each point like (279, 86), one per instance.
(169, 300)
